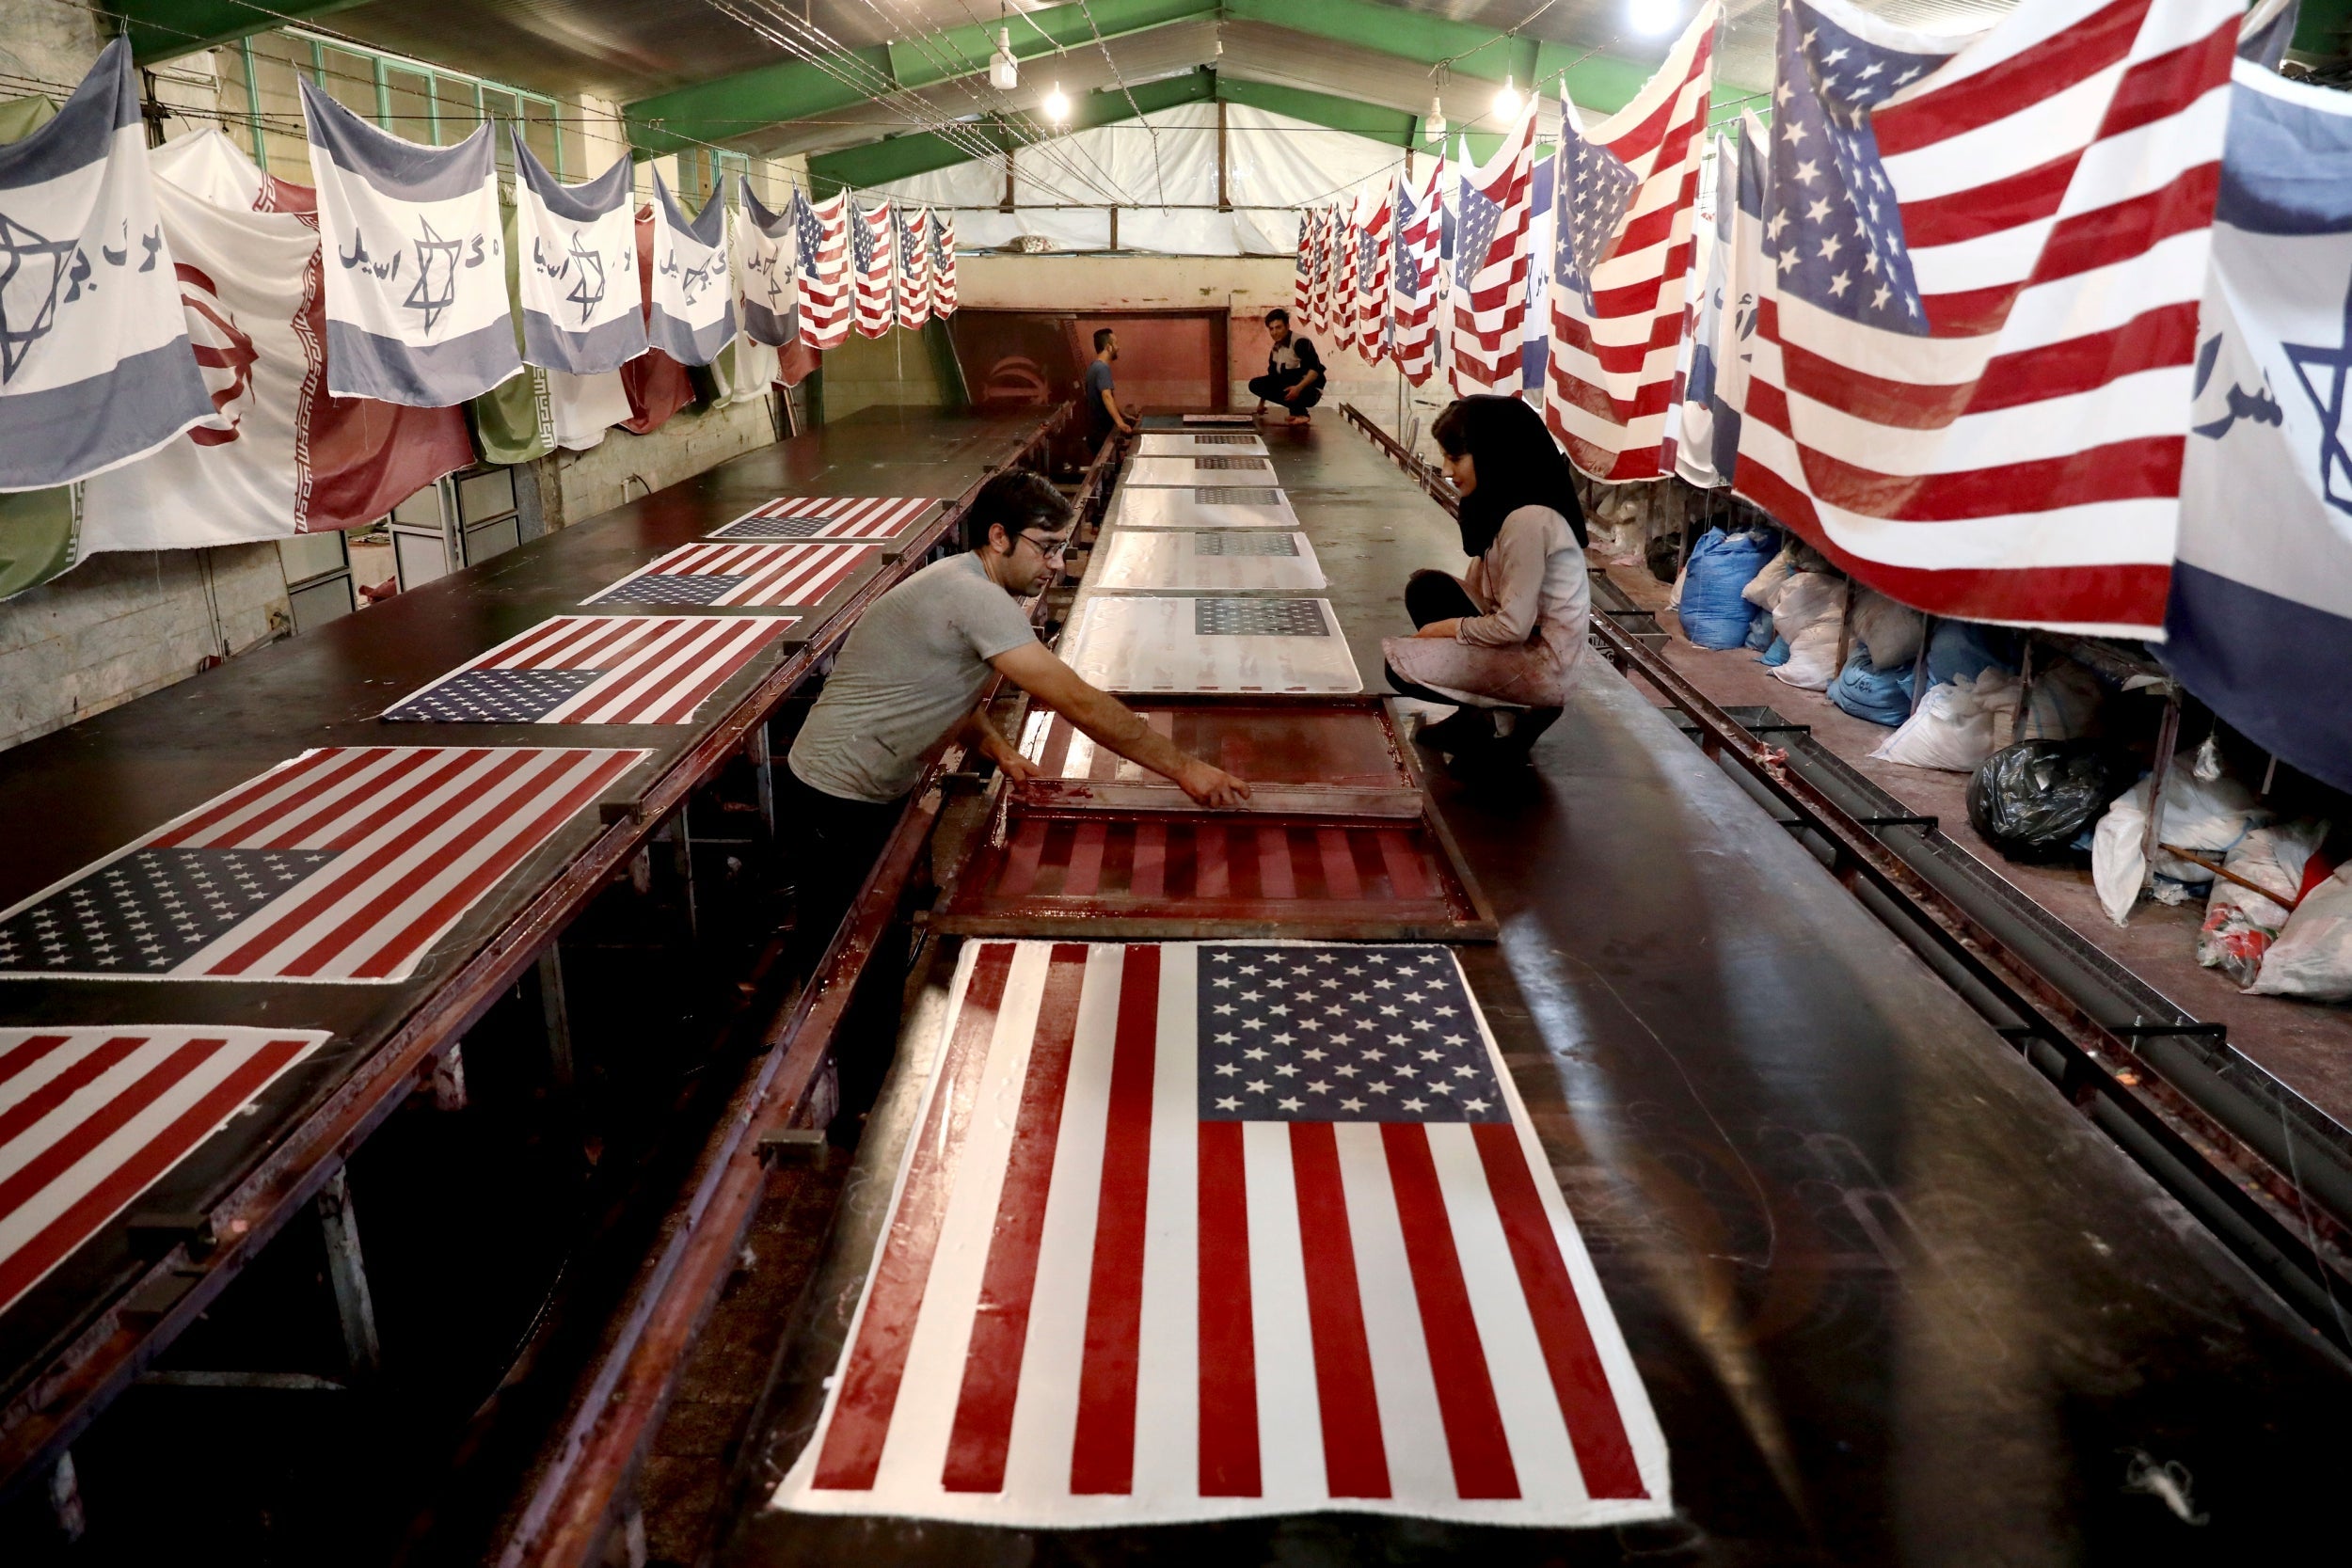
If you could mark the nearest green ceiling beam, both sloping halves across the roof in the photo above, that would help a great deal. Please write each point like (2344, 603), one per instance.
(754, 100)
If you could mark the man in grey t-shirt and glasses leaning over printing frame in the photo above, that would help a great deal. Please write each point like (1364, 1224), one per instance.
(909, 681)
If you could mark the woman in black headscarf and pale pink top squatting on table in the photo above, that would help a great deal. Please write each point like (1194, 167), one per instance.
(1504, 641)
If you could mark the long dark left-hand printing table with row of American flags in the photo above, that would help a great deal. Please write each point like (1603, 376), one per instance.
(330, 1059)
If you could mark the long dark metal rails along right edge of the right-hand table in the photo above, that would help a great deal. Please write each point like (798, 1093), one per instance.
(2259, 1167)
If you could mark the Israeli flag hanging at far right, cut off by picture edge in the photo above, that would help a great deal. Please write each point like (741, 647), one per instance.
(2261, 608)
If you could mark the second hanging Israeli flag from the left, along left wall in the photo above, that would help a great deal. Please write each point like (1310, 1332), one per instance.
(415, 262)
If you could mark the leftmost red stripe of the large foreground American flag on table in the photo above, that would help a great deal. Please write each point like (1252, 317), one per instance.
(895, 1299)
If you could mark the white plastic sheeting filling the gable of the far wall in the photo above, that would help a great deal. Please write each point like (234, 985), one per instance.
(1274, 166)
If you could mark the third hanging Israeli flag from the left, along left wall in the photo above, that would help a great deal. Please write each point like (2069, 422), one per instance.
(580, 269)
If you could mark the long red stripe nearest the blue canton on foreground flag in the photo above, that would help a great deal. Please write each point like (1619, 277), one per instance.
(1104, 1449)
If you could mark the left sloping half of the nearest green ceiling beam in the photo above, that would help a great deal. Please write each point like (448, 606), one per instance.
(789, 91)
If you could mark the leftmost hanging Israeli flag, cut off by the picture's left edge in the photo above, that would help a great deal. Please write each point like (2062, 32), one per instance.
(95, 359)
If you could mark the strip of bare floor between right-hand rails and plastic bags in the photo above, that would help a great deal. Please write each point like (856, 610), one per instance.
(2304, 1045)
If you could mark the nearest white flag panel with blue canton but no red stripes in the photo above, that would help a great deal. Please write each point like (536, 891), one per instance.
(1130, 643)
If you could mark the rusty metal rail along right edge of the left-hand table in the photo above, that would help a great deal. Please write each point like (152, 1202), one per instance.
(44, 1416)
